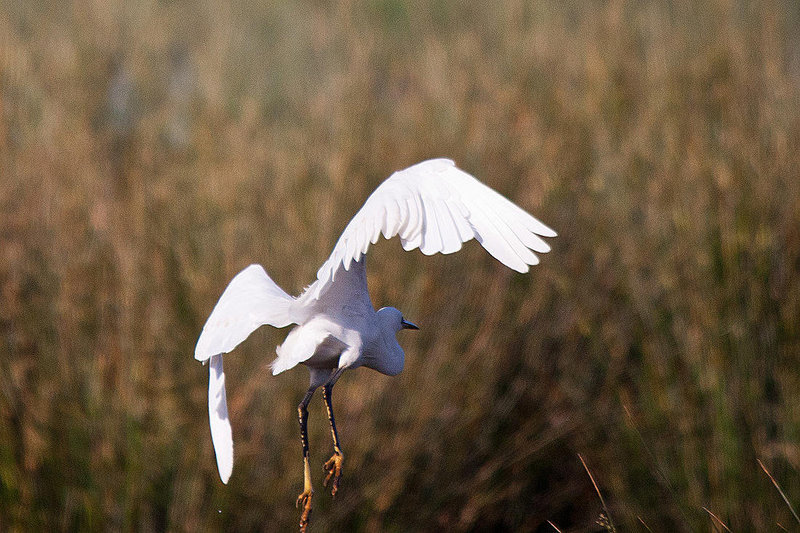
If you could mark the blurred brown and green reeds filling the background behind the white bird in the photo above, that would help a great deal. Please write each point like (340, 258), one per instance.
(149, 150)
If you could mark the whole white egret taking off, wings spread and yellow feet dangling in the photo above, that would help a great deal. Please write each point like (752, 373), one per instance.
(433, 206)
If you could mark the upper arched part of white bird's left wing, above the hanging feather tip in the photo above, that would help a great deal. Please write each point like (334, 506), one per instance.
(250, 301)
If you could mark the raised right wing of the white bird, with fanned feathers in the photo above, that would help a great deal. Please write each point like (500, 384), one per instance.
(435, 206)
